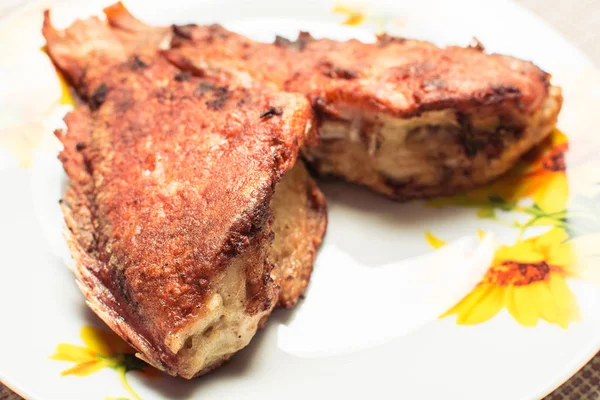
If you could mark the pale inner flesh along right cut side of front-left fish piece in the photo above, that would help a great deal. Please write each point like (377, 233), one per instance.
(299, 222)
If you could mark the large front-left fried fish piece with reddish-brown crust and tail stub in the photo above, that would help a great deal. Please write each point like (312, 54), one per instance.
(171, 193)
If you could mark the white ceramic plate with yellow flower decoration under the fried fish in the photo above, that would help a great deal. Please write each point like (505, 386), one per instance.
(386, 341)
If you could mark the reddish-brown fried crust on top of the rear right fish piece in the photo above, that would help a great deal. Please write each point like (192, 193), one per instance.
(396, 76)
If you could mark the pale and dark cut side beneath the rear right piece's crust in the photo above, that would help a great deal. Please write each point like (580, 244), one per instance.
(436, 153)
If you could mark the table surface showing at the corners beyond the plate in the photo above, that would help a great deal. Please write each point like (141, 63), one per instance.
(576, 20)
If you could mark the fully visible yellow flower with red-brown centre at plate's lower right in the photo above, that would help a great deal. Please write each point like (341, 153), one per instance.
(529, 279)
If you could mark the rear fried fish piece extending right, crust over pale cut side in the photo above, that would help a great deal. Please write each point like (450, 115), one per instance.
(403, 117)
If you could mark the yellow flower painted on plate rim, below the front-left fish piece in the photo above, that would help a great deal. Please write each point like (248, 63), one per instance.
(102, 349)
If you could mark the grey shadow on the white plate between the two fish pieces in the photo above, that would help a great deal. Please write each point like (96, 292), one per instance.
(376, 231)
